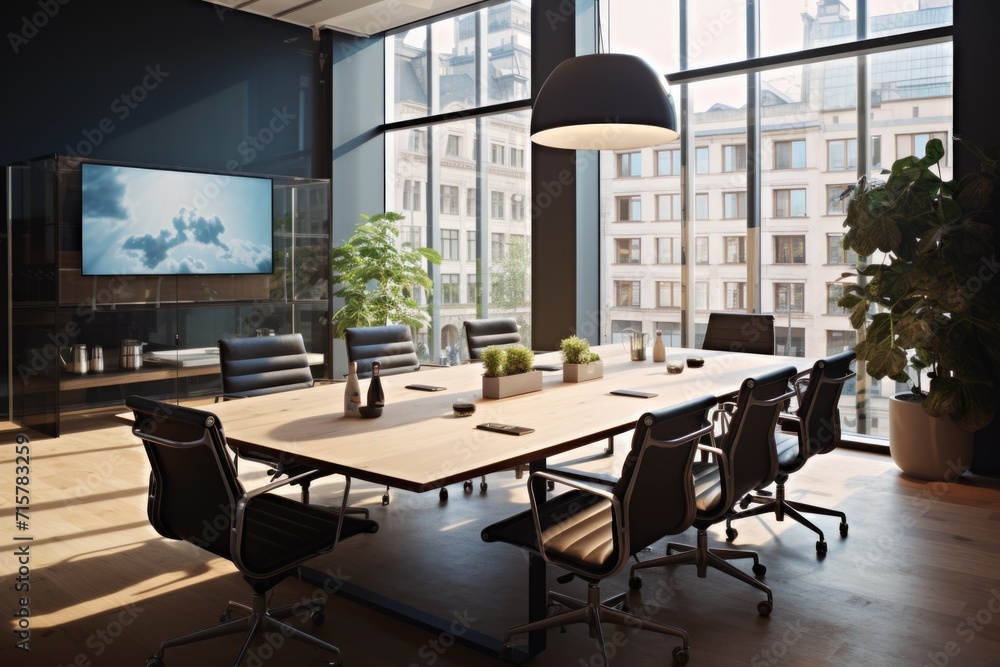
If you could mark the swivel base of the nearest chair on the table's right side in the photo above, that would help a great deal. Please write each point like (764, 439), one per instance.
(593, 612)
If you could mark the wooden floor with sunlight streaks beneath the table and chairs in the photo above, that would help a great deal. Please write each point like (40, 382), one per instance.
(915, 583)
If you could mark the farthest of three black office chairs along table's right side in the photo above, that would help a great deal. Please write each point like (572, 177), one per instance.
(813, 429)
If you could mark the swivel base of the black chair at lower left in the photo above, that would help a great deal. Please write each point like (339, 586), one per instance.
(259, 620)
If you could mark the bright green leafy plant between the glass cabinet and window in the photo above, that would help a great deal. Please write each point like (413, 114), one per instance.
(376, 275)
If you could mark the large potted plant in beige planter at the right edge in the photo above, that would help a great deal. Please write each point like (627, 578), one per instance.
(934, 298)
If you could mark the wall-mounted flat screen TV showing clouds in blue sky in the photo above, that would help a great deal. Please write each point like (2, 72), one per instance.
(154, 222)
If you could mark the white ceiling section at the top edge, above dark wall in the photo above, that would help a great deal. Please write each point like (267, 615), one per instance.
(359, 17)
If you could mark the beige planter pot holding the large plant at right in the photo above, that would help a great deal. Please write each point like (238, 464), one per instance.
(925, 447)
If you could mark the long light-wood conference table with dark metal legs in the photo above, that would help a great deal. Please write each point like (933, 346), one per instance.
(419, 445)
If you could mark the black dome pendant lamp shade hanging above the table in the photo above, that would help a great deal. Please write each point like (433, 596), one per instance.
(603, 101)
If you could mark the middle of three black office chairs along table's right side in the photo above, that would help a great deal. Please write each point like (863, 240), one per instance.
(744, 459)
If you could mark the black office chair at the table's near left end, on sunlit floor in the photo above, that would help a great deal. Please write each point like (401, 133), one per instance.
(266, 536)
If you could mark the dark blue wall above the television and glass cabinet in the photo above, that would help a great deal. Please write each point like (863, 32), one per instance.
(166, 82)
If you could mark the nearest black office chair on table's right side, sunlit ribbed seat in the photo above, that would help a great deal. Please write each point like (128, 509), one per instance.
(593, 531)
